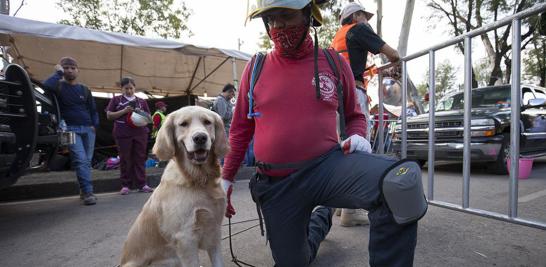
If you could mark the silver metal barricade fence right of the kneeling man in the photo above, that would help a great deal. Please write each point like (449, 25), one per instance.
(515, 21)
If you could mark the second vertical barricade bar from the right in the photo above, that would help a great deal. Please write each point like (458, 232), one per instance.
(467, 119)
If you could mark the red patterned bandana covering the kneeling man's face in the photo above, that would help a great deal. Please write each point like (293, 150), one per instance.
(287, 39)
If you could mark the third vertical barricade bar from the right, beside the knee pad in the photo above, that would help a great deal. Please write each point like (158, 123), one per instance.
(431, 135)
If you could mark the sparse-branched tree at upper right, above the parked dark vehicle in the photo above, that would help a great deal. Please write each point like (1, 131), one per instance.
(466, 15)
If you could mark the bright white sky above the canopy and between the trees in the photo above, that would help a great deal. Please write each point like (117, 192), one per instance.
(221, 23)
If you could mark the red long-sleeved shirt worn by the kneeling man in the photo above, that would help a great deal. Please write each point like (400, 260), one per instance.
(294, 125)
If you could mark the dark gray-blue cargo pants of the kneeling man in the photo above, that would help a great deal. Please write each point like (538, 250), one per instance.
(336, 180)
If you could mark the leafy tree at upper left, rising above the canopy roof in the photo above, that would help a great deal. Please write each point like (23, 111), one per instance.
(139, 17)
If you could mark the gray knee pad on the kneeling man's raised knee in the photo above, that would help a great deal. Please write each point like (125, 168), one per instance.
(402, 191)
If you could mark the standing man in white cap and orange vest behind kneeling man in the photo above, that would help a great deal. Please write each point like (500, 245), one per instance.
(353, 41)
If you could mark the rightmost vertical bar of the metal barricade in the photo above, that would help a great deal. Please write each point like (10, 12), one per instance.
(515, 118)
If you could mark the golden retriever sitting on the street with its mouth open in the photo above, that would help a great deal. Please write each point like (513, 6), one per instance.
(185, 212)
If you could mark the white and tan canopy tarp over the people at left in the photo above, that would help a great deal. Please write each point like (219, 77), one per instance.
(160, 67)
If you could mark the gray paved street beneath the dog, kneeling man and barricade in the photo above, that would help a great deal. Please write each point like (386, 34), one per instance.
(61, 232)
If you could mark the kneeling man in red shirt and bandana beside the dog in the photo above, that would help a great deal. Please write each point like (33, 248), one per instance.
(302, 170)
